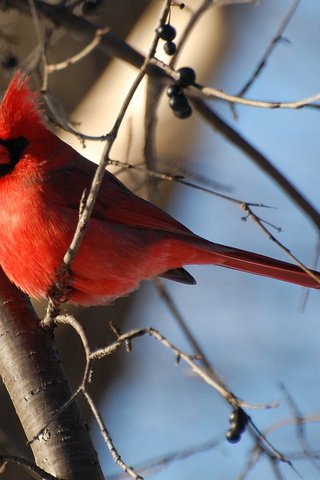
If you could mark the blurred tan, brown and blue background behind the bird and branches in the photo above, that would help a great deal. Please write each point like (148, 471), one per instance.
(252, 330)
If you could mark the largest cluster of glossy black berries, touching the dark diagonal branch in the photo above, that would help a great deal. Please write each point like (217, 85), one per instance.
(177, 100)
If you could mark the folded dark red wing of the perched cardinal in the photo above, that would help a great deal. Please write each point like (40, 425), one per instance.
(115, 202)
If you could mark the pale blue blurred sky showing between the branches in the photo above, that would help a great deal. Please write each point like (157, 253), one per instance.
(250, 328)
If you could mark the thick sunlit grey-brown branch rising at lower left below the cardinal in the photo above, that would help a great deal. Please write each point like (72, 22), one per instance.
(31, 371)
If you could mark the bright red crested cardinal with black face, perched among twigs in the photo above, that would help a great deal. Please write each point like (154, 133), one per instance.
(42, 180)
